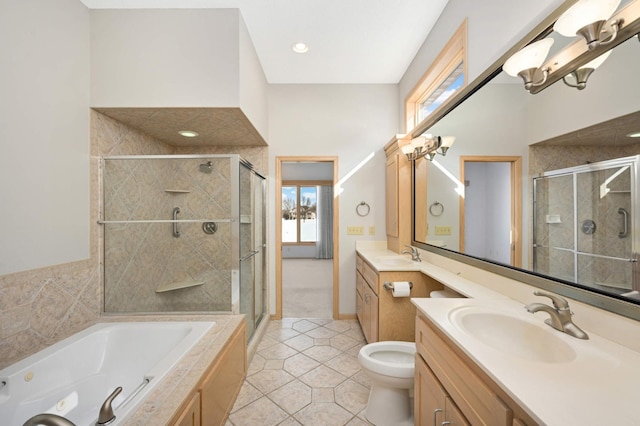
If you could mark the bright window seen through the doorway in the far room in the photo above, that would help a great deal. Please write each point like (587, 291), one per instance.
(299, 210)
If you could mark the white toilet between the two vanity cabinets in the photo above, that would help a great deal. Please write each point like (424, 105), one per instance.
(390, 366)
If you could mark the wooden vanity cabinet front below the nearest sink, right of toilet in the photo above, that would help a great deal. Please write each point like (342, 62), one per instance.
(447, 380)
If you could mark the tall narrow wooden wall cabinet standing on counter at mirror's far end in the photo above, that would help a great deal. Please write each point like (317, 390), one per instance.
(398, 195)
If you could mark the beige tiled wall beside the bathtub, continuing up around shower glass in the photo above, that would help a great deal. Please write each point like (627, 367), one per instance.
(42, 306)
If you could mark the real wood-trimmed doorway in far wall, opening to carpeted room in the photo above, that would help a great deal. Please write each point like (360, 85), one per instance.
(306, 237)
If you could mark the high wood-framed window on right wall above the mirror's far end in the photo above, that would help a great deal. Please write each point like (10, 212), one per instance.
(445, 77)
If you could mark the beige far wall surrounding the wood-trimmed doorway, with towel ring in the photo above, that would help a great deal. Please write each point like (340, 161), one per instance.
(352, 122)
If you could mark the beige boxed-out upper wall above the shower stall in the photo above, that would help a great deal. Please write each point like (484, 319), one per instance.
(176, 58)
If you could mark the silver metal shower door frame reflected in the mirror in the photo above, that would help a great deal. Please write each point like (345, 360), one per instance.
(633, 162)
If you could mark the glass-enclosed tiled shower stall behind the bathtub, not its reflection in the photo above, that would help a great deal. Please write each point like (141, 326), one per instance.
(184, 233)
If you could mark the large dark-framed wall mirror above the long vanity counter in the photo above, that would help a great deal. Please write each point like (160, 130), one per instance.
(542, 187)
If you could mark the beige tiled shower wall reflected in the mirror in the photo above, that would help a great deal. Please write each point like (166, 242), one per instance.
(558, 193)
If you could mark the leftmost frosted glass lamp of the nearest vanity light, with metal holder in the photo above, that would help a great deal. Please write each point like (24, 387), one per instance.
(526, 62)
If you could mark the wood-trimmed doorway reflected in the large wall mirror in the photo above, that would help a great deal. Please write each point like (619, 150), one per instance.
(490, 211)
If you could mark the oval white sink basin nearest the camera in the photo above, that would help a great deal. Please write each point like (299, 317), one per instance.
(509, 334)
